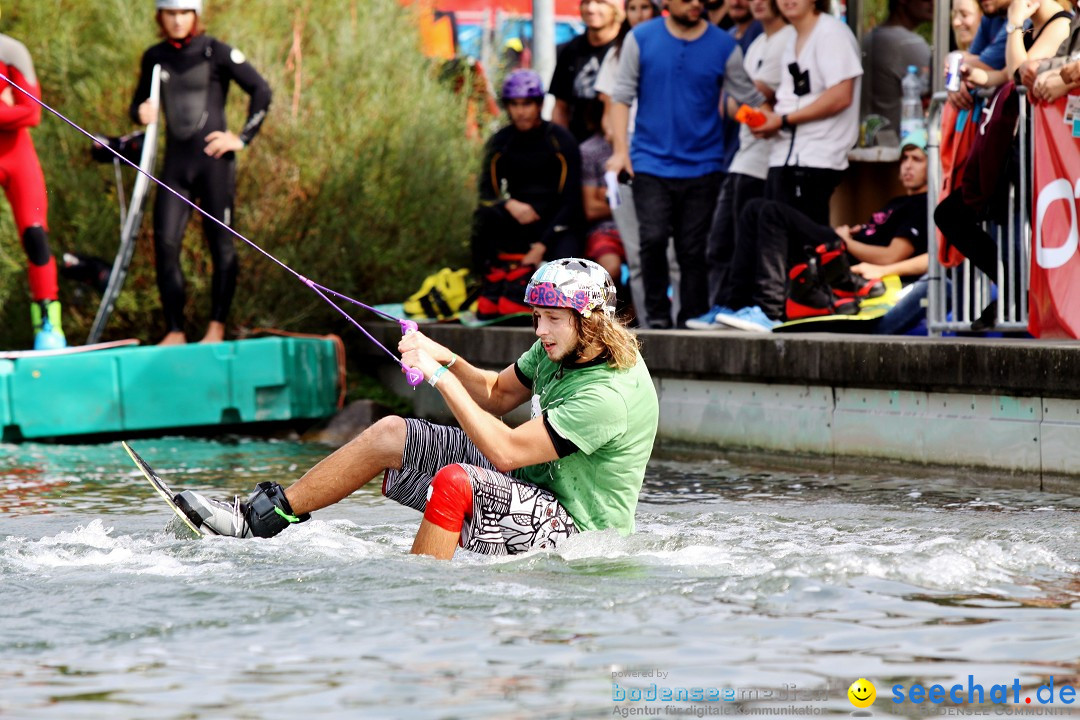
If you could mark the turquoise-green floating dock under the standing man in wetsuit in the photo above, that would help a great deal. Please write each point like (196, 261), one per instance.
(145, 389)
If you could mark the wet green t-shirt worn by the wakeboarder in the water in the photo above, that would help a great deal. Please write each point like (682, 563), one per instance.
(612, 416)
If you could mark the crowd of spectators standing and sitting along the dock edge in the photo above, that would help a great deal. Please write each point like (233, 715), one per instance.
(695, 148)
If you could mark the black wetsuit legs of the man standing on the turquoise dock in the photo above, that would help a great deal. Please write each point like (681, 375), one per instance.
(212, 183)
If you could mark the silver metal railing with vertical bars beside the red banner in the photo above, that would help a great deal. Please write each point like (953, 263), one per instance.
(956, 296)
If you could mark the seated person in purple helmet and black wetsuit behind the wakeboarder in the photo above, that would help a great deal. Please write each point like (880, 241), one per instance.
(530, 206)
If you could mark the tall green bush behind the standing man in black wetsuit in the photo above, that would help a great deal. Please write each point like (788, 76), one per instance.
(360, 180)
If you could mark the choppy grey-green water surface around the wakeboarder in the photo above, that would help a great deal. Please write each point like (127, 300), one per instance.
(741, 580)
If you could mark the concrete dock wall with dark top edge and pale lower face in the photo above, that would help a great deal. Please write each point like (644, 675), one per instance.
(1011, 406)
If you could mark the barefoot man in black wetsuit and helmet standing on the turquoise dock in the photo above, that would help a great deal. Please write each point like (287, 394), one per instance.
(200, 153)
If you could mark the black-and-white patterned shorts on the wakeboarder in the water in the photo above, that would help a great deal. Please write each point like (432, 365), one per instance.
(509, 515)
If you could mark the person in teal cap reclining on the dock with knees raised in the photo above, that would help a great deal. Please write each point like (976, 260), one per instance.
(775, 240)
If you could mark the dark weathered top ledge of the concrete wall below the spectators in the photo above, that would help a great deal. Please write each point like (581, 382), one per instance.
(1014, 368)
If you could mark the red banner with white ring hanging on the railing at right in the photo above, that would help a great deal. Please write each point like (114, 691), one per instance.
(1055, 298)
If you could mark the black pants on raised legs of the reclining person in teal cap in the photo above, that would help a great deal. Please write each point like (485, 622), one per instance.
(772, 238)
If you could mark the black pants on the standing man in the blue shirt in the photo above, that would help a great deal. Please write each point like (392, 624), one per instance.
(681, 209)
